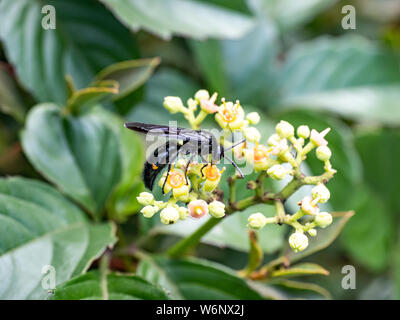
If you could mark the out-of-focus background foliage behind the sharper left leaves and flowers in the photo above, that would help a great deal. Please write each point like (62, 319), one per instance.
(286, 59)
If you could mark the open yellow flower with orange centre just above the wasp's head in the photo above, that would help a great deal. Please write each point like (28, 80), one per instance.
(230, 115)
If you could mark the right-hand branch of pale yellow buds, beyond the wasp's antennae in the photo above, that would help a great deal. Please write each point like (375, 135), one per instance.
(285, 147)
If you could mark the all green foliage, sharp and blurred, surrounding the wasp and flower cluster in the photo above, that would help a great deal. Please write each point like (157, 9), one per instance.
(71, 172)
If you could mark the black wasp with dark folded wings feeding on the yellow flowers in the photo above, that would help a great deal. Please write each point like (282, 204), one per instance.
(179, 141)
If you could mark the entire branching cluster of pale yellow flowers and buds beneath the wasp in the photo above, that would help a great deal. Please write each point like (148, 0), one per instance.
(193, 187)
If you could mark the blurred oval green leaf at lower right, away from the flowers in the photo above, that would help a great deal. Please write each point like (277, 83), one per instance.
(364, 238)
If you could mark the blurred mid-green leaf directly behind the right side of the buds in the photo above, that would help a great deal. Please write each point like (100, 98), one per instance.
(345, 158)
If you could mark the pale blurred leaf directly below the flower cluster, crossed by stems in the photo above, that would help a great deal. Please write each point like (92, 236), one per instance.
(232, 231)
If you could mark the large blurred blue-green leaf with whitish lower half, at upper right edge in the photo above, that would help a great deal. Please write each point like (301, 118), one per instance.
(350, 76)
